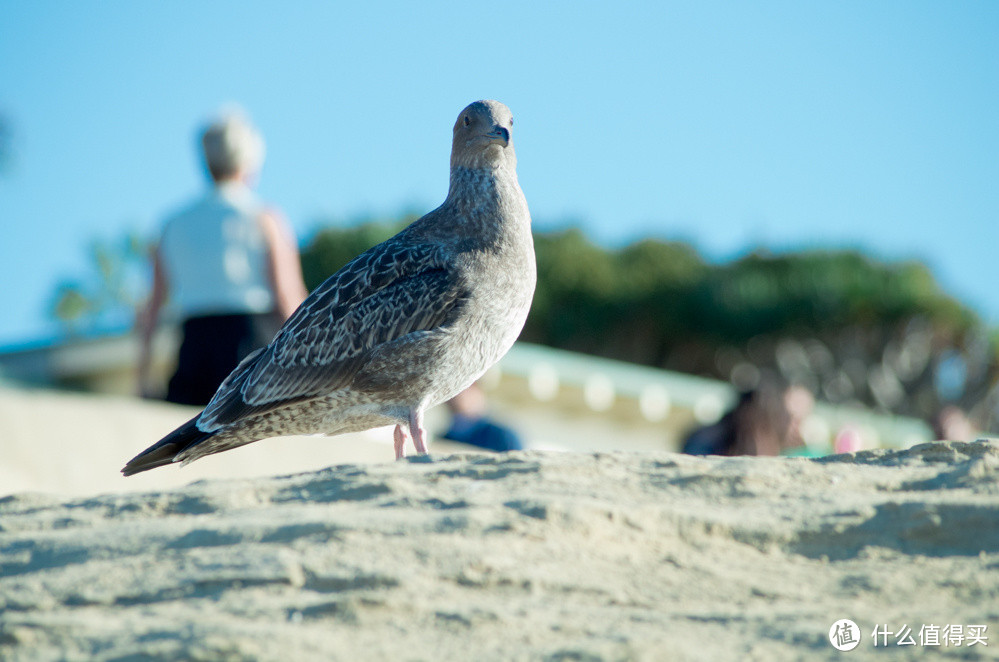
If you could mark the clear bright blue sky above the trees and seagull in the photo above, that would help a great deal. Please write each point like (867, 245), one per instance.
(872, 125)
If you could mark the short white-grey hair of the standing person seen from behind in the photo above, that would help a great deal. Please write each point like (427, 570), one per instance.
(232, 146)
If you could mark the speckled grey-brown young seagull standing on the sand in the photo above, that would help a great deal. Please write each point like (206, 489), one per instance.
(404, 326)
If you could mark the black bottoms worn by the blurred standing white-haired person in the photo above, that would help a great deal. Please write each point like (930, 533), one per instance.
(213, 346)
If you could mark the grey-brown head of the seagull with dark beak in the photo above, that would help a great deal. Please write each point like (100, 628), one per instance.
(483, 136)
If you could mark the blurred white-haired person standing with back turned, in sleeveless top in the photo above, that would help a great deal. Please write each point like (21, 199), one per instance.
(227, 263)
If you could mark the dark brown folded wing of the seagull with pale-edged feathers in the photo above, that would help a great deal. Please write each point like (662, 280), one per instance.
(392, 290)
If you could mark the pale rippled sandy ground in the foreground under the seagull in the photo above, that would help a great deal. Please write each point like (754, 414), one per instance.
(524, 556)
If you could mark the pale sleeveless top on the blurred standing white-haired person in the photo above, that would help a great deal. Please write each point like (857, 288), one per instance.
(215, 256)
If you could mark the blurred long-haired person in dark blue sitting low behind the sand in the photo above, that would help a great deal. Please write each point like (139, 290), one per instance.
(764, 421)
